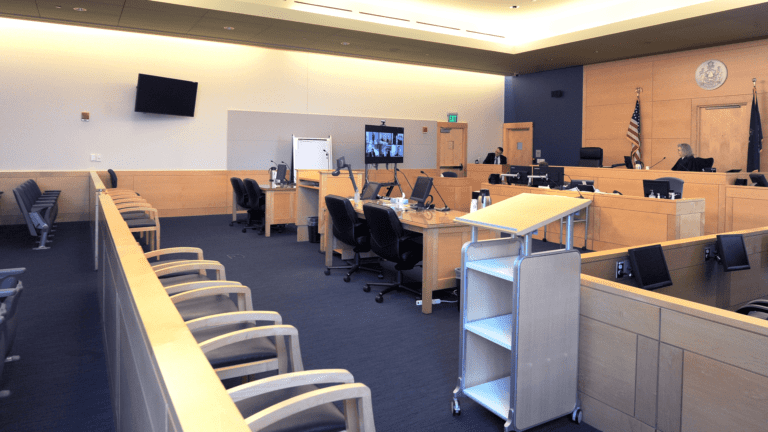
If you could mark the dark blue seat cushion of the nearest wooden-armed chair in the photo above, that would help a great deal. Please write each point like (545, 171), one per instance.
(323, 418)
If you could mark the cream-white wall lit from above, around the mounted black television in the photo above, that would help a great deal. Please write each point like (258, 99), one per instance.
(50, 73)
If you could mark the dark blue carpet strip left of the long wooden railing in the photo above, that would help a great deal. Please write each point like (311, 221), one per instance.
(60, 383)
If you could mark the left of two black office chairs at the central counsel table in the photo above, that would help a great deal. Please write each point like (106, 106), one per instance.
(350, 230)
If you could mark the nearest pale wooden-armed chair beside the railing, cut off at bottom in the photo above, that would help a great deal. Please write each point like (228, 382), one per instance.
(294, 402)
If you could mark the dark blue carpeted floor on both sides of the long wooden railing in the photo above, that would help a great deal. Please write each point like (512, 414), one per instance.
(409, 360)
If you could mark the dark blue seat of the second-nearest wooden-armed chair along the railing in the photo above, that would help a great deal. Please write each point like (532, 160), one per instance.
(242, 352)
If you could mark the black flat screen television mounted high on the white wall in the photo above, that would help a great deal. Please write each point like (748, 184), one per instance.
(158, 95)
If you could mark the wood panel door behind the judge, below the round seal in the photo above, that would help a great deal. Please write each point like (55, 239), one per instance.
(724, 134)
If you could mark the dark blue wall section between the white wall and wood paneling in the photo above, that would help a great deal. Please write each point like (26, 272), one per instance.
(556, 121)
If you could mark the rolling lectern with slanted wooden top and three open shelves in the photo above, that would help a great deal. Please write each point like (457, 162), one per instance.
(520, 314)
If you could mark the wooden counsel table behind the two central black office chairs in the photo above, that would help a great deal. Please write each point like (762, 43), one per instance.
(443, 239)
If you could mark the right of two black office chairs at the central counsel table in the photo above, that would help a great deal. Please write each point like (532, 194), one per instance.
(391, 242)
